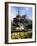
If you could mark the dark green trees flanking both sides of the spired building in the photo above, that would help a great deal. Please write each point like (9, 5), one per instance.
(25, 23)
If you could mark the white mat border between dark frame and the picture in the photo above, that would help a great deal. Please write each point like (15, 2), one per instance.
(9, 21)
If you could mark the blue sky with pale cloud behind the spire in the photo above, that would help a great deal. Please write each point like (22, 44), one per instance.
(22, 10)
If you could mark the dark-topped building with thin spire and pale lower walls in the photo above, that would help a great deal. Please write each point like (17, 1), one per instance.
(19, 20)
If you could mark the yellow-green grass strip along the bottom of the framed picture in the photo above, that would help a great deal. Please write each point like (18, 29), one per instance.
(21, 35)
